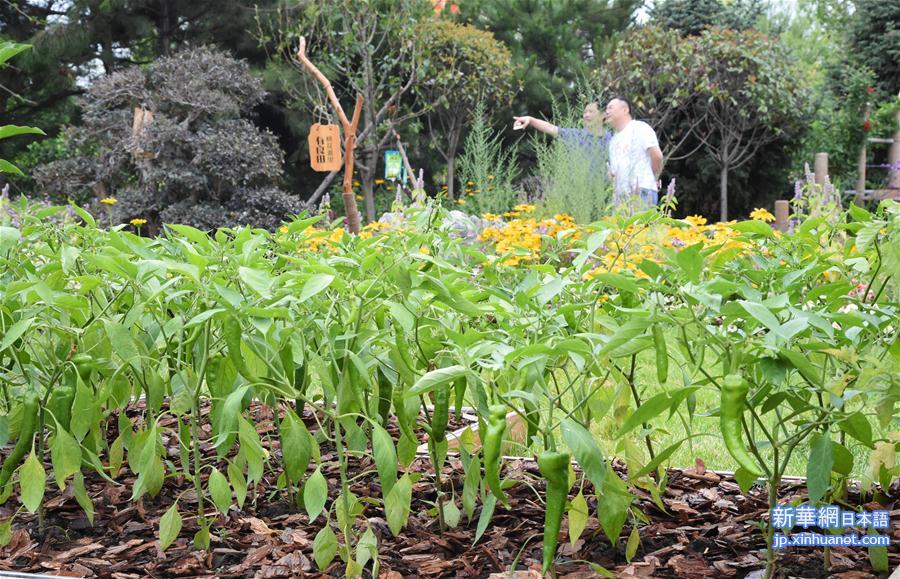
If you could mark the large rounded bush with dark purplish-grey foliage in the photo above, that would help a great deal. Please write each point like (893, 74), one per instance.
(199, 161)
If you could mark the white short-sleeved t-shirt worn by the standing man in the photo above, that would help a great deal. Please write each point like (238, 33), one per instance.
(629, 160)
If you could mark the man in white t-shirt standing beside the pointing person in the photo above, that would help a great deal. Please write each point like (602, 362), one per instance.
(635, 159)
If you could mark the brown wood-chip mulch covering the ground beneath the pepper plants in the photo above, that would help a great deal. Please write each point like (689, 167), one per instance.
(707, 530)
